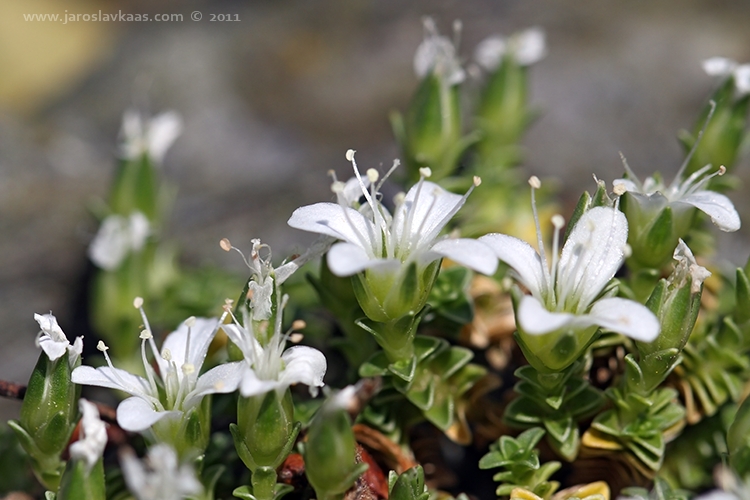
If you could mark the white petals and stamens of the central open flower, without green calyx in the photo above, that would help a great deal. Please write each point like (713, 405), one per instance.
(373, 239)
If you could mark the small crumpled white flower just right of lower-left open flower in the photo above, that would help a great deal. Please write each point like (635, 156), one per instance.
(271, 367)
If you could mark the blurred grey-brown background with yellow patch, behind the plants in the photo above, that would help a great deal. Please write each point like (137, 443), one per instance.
(272, 99)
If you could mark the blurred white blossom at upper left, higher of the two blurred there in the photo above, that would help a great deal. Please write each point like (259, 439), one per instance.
(149, 136)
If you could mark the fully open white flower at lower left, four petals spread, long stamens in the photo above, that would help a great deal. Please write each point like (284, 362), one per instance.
(179, 389)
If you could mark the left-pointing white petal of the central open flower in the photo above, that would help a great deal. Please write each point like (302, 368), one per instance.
(334, 220)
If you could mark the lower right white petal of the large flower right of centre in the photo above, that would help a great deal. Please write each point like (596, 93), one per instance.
(626, 317)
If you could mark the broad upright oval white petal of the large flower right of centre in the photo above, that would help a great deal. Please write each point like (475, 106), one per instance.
(591, 256)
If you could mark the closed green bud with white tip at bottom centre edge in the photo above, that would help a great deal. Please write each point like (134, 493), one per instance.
(330, 451)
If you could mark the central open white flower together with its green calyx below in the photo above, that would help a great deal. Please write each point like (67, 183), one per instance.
(390, 248)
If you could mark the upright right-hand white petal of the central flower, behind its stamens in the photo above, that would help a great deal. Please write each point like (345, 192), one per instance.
(425, 211)
